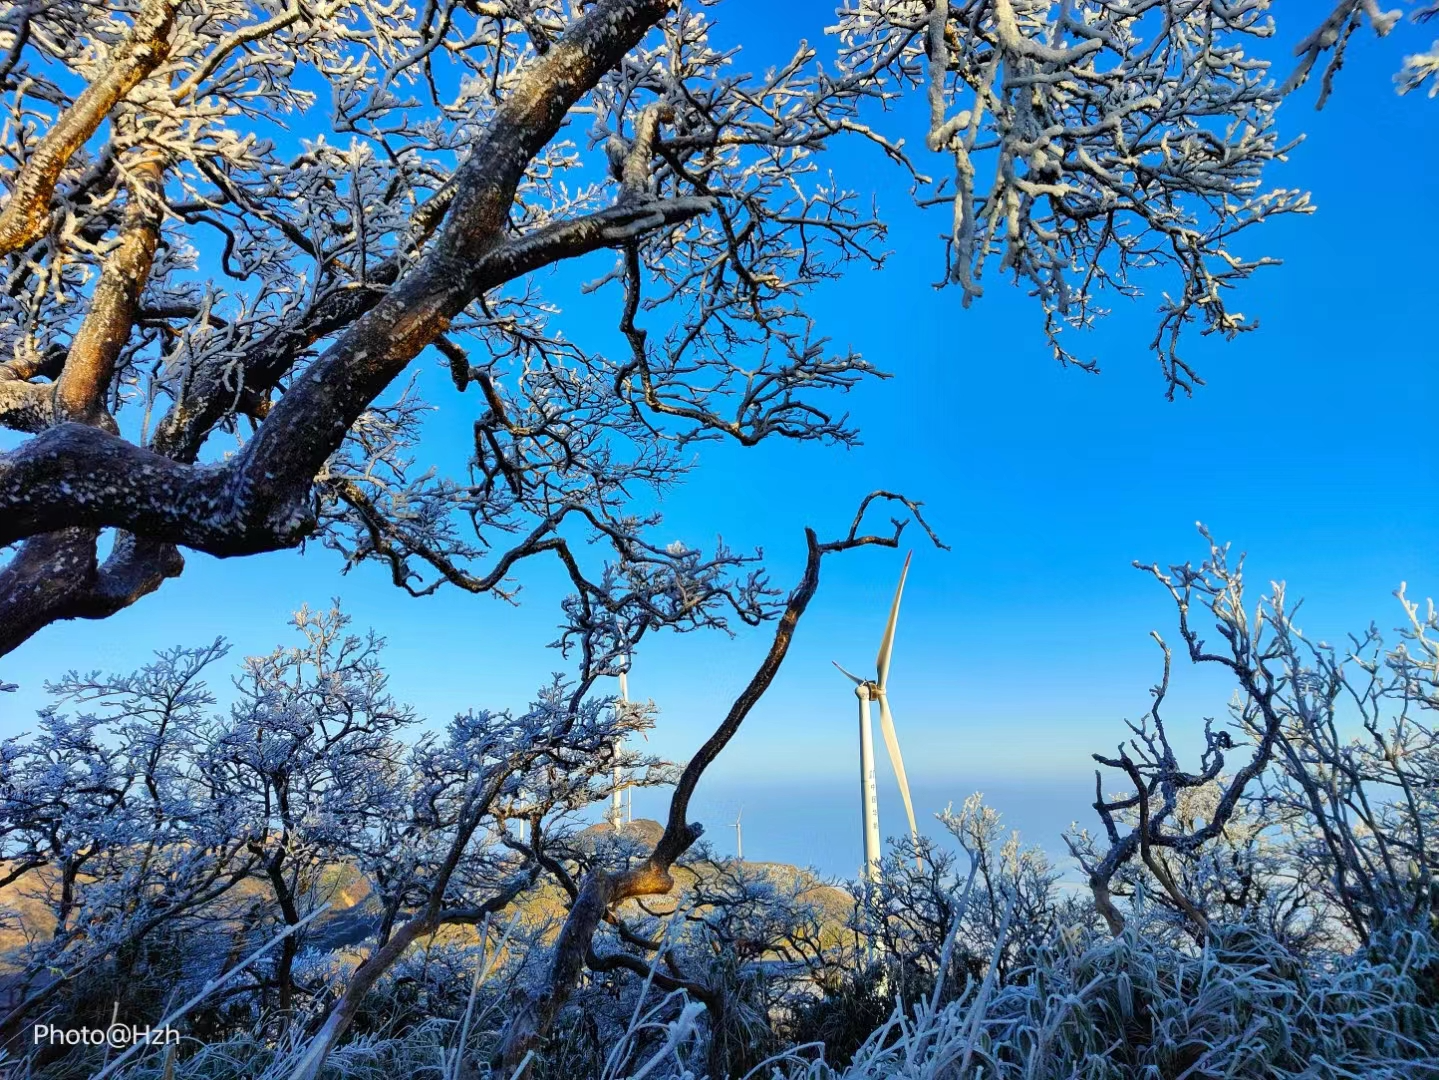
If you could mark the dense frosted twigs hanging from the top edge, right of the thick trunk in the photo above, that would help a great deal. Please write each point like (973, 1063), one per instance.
(1093, 145)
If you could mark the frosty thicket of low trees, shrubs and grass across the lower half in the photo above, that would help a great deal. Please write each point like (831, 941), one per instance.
(152, 843)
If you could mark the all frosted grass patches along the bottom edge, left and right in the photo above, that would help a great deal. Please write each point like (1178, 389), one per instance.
(1087, 1007)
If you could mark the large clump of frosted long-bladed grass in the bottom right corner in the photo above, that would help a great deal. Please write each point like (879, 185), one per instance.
(1136, 1007)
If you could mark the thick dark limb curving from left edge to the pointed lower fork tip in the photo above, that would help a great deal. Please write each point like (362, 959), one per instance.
(261, 500)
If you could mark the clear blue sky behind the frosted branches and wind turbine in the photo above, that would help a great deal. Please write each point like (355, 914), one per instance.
(1022, 649)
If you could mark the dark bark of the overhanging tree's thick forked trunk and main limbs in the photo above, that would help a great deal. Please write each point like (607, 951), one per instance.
(73, 475)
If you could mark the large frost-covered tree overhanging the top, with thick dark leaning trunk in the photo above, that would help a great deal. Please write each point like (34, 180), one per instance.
(231, 229)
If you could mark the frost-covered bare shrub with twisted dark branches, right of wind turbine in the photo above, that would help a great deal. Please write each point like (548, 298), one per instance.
(1338, 770)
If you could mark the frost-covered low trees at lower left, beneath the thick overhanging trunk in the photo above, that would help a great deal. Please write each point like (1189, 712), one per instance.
(140, 825)
